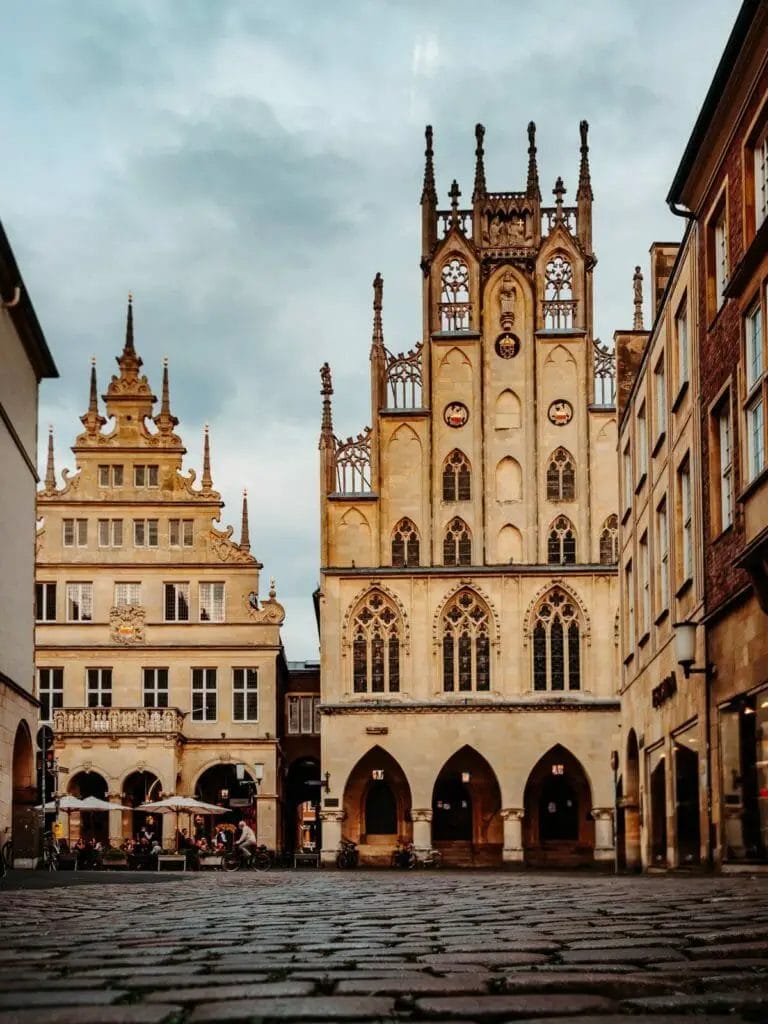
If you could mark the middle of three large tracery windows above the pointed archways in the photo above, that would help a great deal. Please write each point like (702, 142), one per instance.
(466, 644)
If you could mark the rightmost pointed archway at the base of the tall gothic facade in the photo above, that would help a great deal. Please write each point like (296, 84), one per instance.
(559, 827)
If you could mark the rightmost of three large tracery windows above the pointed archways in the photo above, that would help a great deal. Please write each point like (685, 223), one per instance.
(557, 636)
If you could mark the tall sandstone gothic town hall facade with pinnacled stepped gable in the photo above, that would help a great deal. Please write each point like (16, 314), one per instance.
(468, 600)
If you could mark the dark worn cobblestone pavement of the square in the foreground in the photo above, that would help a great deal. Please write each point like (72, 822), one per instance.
(388, 947)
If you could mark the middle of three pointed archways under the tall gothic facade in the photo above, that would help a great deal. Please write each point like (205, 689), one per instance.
(466, 812)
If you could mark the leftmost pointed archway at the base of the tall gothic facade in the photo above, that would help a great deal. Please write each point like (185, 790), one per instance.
(377, 805)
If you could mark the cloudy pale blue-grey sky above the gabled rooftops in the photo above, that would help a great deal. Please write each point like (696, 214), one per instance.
(245, 167)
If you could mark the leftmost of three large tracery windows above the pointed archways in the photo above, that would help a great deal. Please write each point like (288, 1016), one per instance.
(376, 647)
